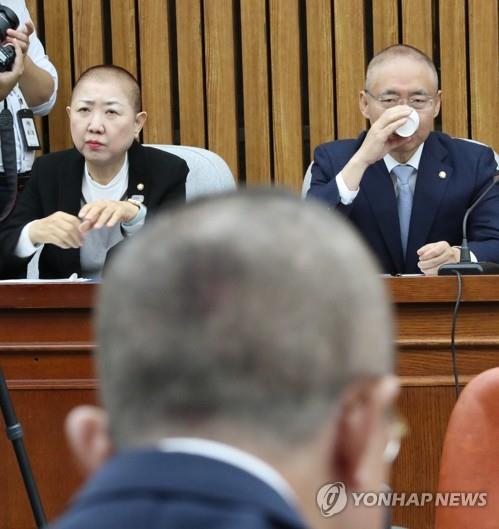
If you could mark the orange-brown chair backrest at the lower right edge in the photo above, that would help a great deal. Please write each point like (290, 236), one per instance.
(470, 455)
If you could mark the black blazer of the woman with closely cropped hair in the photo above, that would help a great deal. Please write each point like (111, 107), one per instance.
(55, 185)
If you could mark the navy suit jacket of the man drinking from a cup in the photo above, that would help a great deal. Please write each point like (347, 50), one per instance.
(452, 174)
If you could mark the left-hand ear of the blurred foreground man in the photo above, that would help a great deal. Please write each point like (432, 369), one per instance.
(88, 437)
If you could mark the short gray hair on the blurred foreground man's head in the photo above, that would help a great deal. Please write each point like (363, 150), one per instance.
(250, 309)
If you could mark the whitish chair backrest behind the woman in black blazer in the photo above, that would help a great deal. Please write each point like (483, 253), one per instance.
(208, 172)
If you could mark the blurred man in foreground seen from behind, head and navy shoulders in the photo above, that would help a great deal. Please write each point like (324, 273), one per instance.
(245, 359)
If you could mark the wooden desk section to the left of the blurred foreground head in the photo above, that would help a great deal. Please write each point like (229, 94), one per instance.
(45, 353)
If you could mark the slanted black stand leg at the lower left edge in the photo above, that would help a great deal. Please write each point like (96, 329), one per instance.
(15, 434)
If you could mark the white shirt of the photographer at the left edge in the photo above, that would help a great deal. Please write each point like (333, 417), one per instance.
(15, 99)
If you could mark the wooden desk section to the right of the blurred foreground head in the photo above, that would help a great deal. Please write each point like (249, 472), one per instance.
(424, 307)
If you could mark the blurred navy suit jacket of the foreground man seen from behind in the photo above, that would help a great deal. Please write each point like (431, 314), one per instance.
(157, 490)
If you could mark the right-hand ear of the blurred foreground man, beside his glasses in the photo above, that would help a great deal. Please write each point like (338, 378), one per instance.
(357, 456)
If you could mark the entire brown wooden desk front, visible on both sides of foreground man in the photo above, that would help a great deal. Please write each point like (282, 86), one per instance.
(46, 344)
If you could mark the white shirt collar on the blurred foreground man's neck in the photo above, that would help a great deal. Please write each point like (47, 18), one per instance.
(232, 456)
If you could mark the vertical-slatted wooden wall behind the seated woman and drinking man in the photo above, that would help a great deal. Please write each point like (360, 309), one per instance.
(263, 82)
